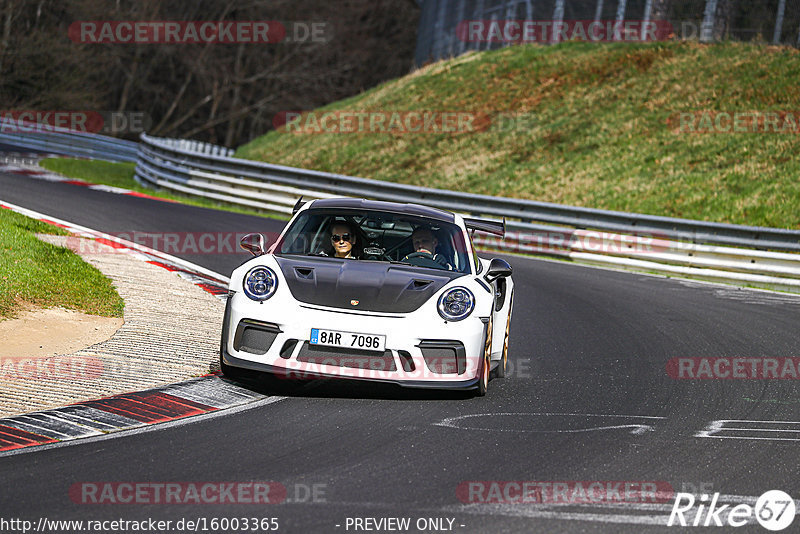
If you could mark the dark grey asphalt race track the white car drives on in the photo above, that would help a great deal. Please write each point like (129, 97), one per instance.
(588, 399)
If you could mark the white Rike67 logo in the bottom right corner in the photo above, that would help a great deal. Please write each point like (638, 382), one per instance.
(774, 510)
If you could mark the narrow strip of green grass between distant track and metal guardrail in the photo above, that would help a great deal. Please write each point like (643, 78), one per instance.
(122, 175)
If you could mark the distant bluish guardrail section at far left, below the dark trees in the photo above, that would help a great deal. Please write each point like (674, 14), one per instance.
(54, 140)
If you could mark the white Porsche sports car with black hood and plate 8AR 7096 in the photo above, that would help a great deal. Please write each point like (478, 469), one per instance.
(370, 290)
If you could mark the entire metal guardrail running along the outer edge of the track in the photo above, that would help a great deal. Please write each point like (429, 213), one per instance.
(764, 257)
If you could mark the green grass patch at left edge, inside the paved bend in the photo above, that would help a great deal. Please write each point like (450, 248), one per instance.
(36, 273)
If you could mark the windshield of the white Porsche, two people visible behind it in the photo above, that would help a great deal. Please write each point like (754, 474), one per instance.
(365, 235)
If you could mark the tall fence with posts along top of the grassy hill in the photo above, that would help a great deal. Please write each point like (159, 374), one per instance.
(444, 28)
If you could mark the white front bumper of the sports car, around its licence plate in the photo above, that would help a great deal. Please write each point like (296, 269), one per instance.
(420, 352)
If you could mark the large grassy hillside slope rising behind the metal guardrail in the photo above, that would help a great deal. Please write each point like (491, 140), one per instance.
(598, 131)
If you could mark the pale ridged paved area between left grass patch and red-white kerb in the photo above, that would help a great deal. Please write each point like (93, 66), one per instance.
(171, 332)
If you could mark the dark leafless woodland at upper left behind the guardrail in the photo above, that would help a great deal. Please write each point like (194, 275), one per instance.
(223, 93)
